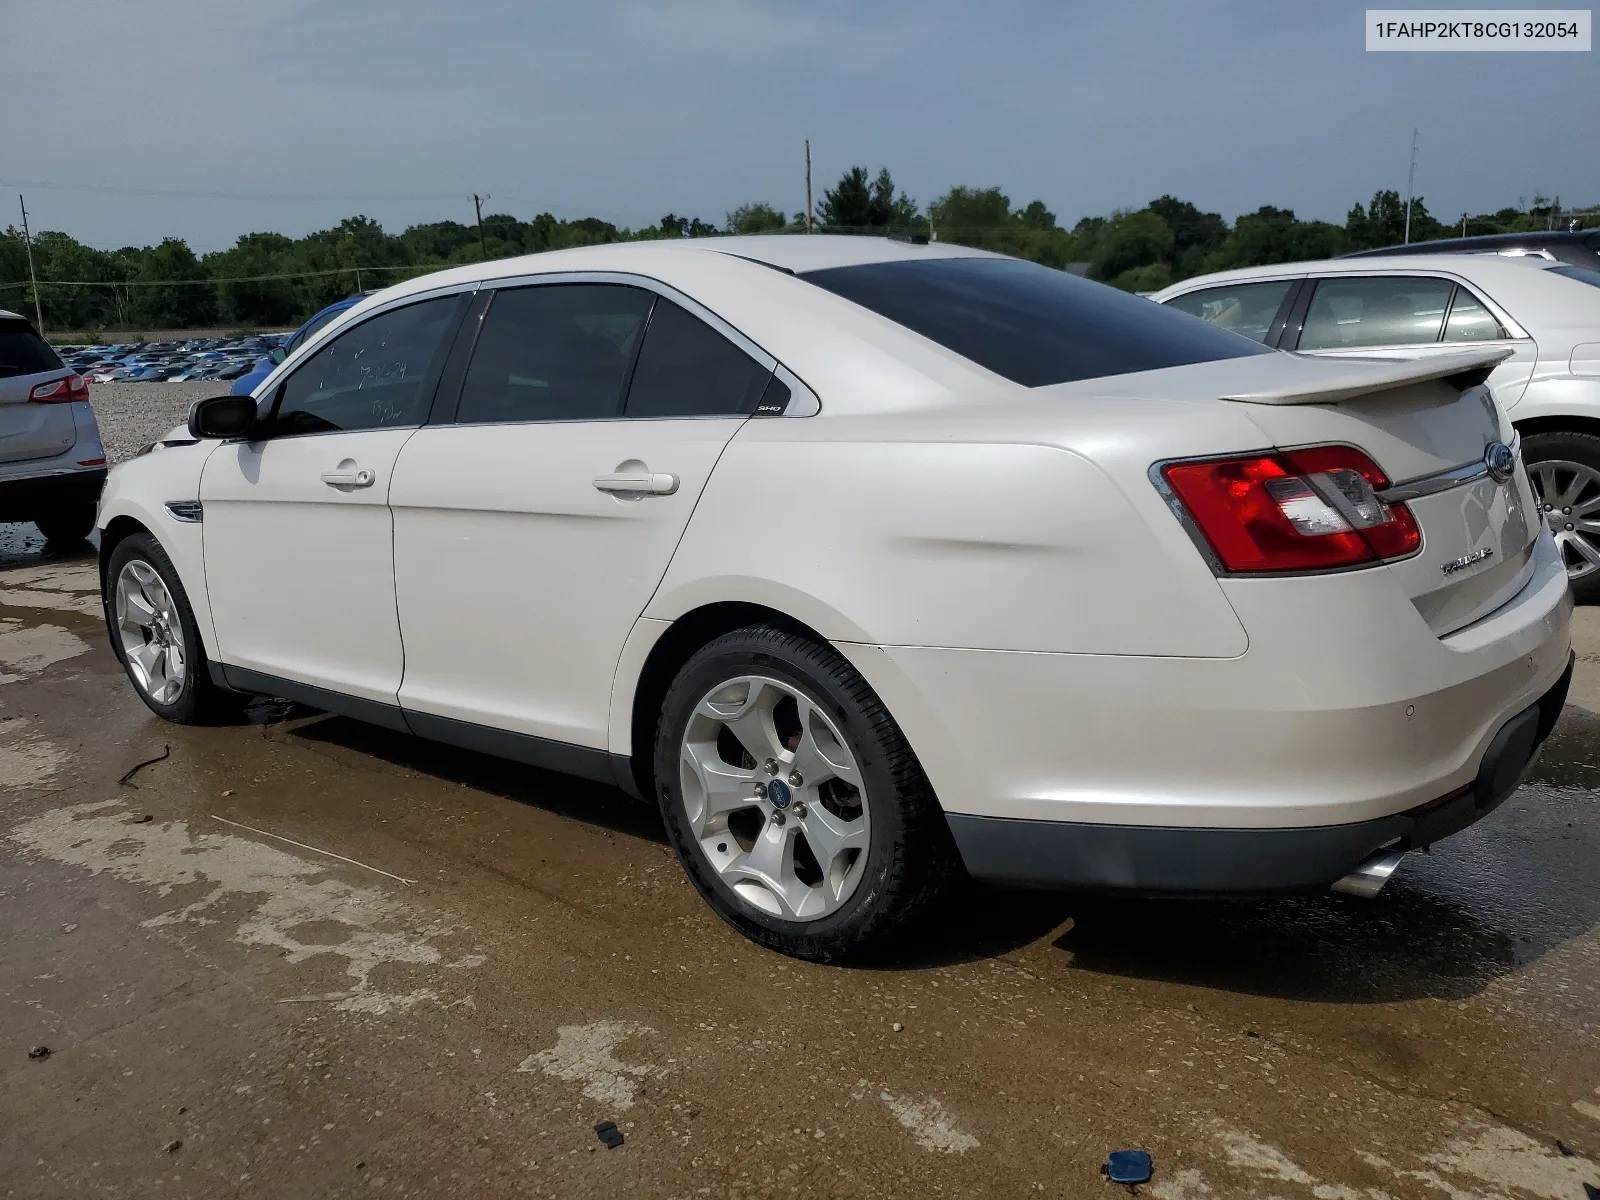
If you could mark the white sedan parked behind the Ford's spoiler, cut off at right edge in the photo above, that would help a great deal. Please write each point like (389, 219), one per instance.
(1542, 313)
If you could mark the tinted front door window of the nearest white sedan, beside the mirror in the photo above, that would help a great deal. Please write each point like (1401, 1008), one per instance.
(370, 377)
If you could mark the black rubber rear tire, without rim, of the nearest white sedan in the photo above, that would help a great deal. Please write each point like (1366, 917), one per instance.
(911, 857)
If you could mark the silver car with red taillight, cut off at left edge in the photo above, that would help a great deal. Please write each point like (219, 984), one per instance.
(52, 458)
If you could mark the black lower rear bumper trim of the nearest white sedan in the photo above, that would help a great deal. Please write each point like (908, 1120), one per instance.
(1159, 860)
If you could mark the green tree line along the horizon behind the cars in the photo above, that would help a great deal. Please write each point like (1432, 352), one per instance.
(276, 281)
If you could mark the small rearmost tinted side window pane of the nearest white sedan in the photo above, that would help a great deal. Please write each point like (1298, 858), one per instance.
(687, 369)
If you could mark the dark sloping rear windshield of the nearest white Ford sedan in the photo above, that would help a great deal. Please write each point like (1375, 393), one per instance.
(1031, 324)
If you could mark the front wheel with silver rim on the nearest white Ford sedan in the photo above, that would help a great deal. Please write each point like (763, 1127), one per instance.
(153, 630)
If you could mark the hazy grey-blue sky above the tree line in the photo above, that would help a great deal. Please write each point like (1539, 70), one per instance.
(630, 110)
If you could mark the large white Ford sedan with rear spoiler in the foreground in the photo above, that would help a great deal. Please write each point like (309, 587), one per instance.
(871, 564)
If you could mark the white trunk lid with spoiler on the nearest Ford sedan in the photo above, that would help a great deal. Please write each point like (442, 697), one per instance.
(1420, 422)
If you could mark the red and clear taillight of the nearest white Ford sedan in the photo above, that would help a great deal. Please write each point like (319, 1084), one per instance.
(1295, 510)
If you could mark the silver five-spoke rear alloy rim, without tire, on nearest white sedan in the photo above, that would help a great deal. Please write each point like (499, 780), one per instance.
(775, 798)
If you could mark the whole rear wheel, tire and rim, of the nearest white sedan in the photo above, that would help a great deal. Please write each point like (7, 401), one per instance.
(793, 799)
